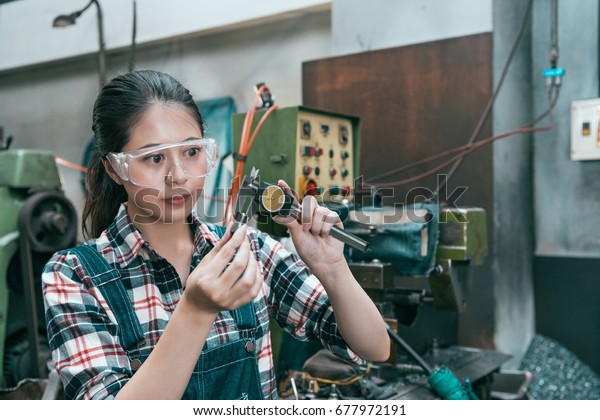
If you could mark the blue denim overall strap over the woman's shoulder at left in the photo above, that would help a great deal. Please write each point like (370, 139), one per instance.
(107, 279)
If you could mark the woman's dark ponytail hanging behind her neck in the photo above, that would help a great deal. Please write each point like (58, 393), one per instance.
(104, 196)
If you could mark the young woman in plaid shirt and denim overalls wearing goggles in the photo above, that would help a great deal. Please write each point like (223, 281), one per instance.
(161, 305)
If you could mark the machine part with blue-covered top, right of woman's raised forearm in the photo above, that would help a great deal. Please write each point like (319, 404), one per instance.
(419, 265)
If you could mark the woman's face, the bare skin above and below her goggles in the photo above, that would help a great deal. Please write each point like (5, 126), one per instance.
(170, 201)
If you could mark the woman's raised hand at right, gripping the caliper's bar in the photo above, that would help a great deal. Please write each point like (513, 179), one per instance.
(311, 236)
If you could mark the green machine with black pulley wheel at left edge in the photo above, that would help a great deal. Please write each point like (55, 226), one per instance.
(37, 220)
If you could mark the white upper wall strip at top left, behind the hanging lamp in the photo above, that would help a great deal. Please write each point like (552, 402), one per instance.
(27, 37)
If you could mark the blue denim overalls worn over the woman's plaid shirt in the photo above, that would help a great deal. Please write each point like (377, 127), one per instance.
(227, 372)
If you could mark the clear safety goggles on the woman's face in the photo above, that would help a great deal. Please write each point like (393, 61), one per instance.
(152, 166)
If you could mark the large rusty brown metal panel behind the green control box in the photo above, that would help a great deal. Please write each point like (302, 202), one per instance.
(415, 101)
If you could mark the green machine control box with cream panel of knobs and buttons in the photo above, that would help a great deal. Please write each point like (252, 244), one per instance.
(315, 151)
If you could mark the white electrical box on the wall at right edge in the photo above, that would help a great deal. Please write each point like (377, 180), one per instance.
(585, 129)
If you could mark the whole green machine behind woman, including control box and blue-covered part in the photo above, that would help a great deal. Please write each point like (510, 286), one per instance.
(416, 266)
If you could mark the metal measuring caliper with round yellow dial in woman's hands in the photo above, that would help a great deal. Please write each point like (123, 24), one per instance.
(273, 200)
